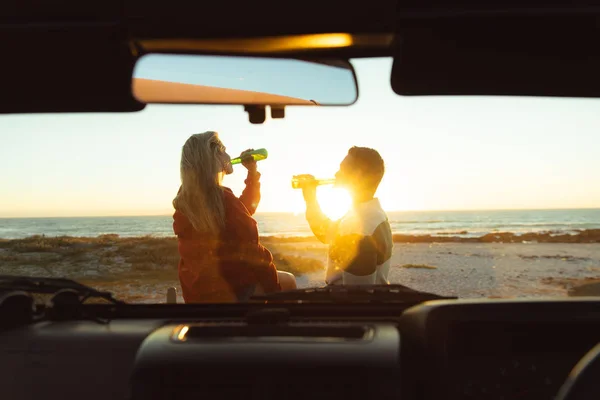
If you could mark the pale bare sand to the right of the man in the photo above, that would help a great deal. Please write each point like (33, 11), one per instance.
(490, 269)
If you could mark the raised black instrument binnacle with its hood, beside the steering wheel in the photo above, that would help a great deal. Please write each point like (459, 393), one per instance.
(498, 349)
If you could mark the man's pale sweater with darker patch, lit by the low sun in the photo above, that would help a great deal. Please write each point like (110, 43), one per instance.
(360, 243)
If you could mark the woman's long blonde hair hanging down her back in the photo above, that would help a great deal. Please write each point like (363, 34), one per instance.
(200, 197)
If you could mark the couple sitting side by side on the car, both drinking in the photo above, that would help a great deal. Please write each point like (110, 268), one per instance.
(221, 258)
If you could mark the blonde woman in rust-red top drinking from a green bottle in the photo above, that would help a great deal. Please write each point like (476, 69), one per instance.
(221, 259)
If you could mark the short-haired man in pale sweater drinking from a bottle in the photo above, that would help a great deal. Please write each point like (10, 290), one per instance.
(360, 243)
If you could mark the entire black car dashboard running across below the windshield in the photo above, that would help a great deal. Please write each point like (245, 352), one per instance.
(465, 349)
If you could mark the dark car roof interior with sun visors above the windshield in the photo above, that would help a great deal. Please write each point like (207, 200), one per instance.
(545, 50)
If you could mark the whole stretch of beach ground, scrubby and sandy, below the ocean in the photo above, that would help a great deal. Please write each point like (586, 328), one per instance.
(141, 269)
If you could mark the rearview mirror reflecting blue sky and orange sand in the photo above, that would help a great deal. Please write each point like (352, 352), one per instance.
(204, 79)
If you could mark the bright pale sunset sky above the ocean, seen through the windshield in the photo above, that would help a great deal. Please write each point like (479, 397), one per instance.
(441, 153)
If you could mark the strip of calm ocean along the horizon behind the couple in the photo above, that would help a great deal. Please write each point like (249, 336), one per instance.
(436, 223)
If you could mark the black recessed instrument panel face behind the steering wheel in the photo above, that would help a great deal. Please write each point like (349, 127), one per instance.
(515, 359)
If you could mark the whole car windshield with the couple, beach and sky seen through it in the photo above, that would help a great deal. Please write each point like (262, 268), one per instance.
(479, 197)
